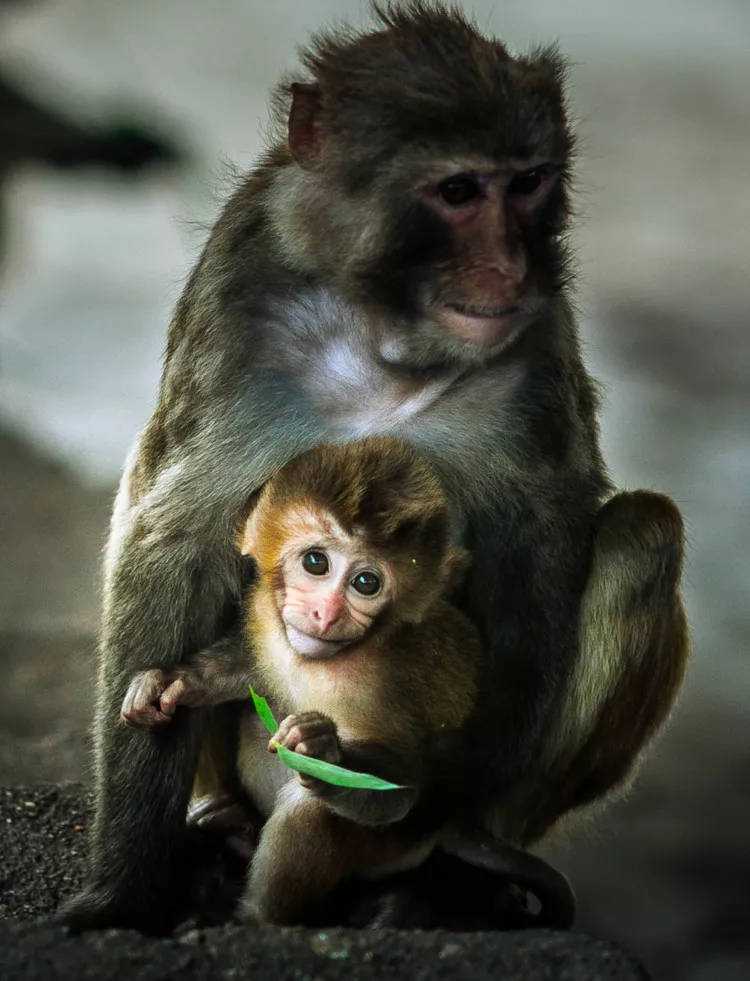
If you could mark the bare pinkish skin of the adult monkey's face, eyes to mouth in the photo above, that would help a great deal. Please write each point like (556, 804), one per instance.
(492, 296)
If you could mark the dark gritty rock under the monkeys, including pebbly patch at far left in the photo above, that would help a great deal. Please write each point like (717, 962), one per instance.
(42, 834)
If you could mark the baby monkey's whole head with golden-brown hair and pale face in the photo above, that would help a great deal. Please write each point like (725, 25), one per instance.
(349, 539)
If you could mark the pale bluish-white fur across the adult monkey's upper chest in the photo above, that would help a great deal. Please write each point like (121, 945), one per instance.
(355, 387)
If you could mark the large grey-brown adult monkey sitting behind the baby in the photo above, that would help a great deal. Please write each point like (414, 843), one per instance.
(395, 266)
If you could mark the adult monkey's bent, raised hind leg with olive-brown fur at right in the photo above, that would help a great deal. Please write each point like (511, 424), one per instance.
(632, 657)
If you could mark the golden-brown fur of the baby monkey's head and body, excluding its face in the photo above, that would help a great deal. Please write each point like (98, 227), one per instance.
(407, 684)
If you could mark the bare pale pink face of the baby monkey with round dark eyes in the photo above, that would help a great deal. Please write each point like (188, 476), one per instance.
(332, 593)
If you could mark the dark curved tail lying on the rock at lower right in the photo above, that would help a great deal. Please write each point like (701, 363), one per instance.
(530, 872)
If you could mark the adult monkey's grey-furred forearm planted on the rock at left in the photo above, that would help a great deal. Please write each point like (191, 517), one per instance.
(156, 609)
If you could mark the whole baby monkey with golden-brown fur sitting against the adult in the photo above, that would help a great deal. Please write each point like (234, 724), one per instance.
(349, 635)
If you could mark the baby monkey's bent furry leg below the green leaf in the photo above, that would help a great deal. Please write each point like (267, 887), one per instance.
(306, 851)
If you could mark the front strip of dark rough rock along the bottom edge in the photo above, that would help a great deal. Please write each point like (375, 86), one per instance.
(41, 952)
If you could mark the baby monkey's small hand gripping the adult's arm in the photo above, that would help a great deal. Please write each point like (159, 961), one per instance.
(154, 695)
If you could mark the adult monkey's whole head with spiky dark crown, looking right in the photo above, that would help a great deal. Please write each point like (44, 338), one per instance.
(435, 167)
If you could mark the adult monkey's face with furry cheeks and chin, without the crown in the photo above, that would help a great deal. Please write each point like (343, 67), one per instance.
(459, 254)
